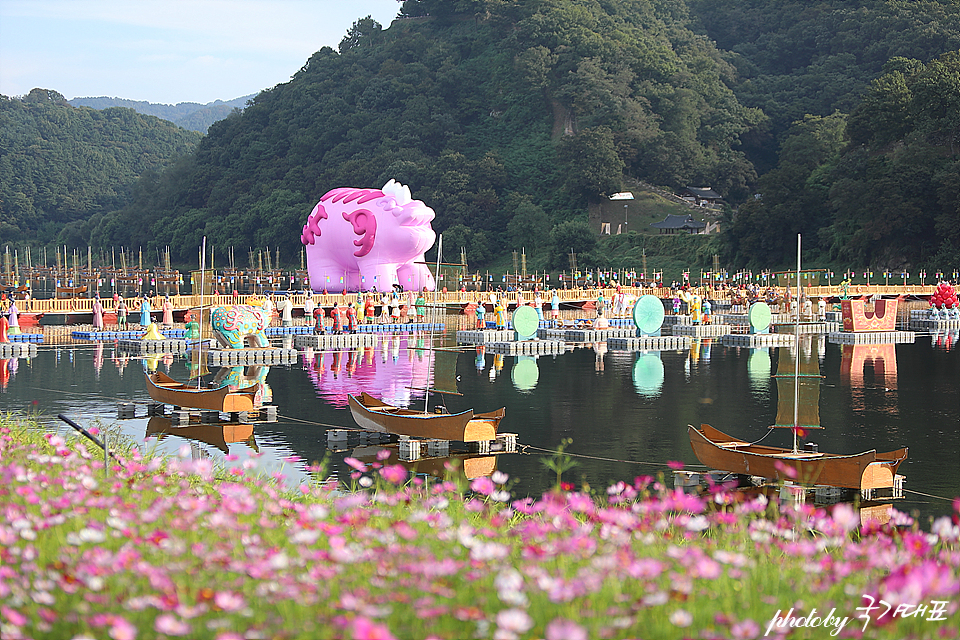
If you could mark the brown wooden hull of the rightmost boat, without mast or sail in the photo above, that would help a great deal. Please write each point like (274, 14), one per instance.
(867, 470)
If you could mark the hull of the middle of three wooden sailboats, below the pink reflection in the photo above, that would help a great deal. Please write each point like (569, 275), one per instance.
(374, 415)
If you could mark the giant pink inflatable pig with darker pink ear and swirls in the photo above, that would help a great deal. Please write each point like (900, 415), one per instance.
(366, 239)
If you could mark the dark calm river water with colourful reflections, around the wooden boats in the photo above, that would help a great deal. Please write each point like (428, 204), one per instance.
(626, 412)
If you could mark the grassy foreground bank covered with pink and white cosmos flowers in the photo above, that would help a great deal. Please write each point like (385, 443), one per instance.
(164, 548)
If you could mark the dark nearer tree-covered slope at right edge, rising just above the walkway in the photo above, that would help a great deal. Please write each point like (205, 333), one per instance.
(879, 187)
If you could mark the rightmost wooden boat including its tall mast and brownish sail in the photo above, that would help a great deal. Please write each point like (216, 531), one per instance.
(862, 471)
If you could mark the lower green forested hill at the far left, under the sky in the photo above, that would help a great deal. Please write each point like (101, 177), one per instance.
(61, 167)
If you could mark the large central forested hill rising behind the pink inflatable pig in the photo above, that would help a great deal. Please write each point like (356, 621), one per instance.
(521, 107)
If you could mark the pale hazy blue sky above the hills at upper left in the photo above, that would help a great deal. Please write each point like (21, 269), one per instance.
(168, 51)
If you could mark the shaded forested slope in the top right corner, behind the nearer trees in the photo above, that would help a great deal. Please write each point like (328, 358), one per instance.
(797, 58)
